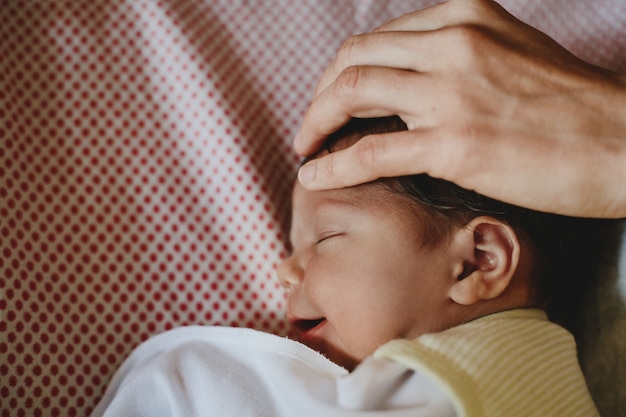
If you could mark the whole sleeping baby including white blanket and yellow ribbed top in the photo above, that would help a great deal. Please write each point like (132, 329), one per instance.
(411, 296)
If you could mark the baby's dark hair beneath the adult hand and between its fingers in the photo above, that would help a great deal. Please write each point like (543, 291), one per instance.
(567, 249)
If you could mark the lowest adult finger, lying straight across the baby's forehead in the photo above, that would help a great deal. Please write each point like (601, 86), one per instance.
(372, 157)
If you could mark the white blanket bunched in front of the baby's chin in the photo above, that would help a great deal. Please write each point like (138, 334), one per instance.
(220, 371)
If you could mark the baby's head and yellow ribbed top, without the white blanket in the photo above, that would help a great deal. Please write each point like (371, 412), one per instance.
(456, 280)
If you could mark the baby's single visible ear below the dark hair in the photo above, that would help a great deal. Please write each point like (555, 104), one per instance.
(489, 255)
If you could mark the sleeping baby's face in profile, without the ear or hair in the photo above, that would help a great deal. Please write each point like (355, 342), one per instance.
(359, 275)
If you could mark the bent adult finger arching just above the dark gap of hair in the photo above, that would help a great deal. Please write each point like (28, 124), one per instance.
(365, 92)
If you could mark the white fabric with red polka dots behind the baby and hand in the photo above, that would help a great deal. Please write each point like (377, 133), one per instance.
(146, 167)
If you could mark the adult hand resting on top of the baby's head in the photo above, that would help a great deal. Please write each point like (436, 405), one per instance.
(491, 104)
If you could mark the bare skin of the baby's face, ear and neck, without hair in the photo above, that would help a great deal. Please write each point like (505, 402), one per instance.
(359, 275)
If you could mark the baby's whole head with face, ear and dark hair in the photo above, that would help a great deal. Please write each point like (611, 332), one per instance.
(400, 257)
